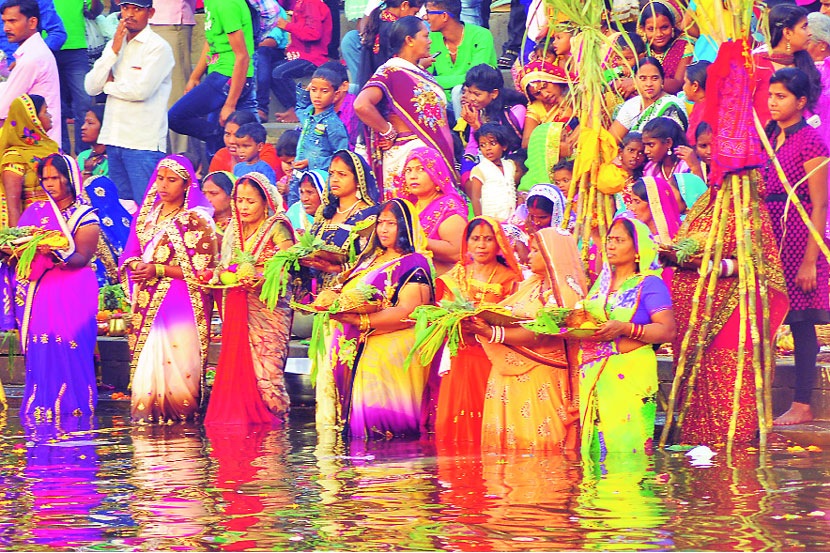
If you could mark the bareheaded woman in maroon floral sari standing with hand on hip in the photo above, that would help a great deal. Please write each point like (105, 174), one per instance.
(404, 107)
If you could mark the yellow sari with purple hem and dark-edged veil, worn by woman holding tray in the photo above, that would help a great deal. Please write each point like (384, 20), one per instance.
(379, 396)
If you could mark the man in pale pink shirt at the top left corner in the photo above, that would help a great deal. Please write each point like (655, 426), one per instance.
(35, 70)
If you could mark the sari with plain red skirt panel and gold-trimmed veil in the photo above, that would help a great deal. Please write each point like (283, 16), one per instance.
(250, 384)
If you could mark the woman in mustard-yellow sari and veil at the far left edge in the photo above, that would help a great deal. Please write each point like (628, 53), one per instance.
(23, 143)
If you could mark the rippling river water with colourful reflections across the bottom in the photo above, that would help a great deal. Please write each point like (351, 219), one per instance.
(102, 484)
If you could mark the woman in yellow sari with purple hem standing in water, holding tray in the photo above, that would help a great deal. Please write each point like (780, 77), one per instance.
(379, 395)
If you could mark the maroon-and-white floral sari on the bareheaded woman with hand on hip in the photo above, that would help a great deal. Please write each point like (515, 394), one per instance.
(413, 95)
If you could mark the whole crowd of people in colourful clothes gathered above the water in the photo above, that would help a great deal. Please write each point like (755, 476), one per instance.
(419, 177)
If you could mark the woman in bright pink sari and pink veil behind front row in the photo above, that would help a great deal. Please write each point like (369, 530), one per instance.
(430, 185)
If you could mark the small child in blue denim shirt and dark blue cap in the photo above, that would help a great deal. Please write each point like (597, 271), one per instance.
(323, 133)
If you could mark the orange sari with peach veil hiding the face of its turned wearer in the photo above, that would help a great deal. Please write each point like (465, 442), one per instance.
(530, 400)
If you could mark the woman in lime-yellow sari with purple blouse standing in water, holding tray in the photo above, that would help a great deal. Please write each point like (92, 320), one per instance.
(618, 372)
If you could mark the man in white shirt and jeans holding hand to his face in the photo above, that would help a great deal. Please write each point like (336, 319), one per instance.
(135, 72)
